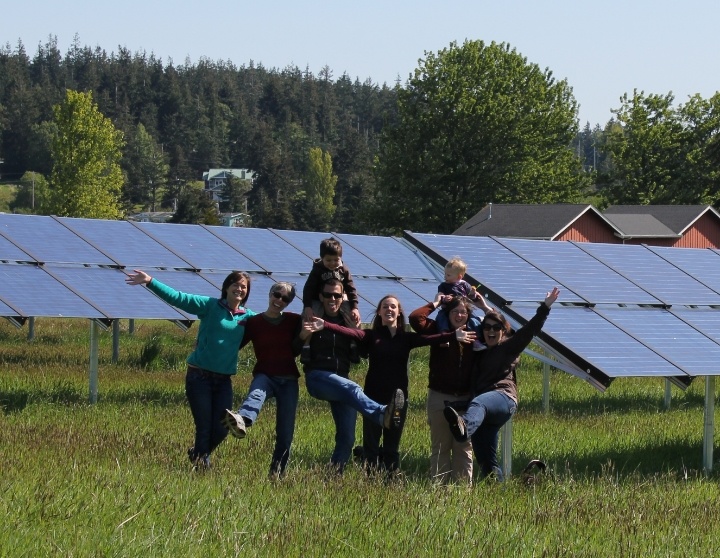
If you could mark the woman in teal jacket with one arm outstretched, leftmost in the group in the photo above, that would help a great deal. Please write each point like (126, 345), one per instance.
(214, 359)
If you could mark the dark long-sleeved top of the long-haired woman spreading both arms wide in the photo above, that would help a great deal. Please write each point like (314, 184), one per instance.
(388, 356)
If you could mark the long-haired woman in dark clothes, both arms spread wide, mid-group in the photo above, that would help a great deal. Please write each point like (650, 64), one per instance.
(388, 347)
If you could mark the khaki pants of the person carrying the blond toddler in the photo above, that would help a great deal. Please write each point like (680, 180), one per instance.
(449, 459)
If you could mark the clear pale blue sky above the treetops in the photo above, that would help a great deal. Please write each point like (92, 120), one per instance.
(603, 49)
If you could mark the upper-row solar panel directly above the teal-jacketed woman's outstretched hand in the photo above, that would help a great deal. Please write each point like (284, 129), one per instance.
(123, 242)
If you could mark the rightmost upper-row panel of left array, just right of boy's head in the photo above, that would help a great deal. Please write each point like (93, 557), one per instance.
(390, 253)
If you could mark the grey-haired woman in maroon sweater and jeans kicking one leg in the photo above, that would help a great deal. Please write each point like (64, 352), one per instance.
(275, 373)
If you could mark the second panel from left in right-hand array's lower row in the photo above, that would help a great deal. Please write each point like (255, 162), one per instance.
(670, 337)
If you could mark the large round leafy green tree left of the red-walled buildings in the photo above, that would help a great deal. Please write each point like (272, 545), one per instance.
(476, 123)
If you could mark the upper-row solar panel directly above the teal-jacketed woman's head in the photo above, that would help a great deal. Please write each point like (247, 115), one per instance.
(198, 246)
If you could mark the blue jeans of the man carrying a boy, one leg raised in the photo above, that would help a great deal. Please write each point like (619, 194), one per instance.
(346, 400)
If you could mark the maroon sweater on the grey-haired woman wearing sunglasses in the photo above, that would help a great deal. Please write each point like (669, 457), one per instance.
(273, 344)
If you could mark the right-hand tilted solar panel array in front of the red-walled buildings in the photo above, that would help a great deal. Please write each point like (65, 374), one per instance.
(625, 310)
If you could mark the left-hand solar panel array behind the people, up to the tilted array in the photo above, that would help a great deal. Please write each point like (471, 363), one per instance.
(79, 266)
